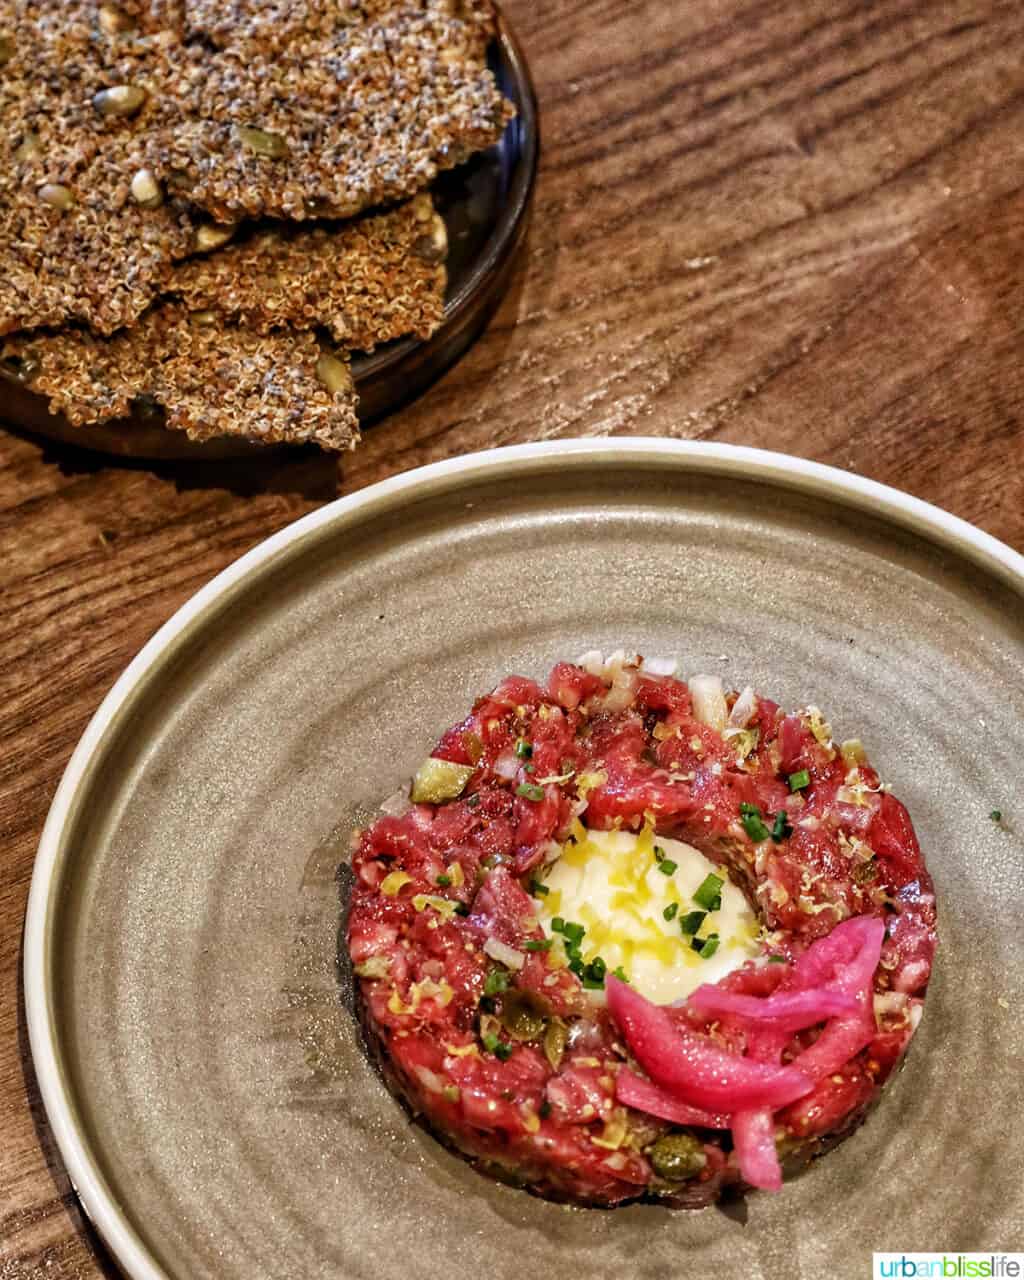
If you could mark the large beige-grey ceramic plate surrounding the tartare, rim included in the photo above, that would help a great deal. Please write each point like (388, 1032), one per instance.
(191, 1026)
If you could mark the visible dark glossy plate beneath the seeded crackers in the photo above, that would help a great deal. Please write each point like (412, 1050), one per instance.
(486, 205)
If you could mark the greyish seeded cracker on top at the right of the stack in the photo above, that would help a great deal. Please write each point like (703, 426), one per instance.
(326, 125)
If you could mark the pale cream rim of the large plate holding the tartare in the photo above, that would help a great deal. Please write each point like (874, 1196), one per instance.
(816, 479)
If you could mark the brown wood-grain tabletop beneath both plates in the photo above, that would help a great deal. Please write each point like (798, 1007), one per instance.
(785, 223)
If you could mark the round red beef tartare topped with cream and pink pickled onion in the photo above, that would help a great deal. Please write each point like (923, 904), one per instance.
(636, 938)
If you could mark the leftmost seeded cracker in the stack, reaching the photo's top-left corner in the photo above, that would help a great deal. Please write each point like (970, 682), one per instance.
(74, 241)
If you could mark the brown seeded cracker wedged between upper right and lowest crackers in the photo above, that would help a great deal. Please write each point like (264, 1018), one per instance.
(367, 282)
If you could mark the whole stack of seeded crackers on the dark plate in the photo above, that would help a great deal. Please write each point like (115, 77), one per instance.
(208, 205)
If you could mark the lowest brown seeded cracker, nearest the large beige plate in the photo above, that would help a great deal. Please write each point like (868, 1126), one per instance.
(212, 380)
